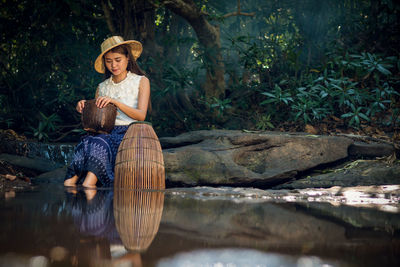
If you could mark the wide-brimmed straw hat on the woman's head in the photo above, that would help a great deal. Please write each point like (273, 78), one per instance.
(114, 41)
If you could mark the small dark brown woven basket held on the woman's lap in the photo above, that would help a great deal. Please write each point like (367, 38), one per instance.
(98, 120)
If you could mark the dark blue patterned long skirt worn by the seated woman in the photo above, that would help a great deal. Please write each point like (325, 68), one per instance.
(97, 153)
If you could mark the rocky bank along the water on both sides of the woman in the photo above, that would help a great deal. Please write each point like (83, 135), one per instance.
(239, 158)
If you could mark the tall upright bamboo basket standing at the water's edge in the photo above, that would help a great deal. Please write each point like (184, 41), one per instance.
(140, 163)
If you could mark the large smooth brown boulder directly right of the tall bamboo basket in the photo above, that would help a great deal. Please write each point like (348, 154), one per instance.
(240, 158)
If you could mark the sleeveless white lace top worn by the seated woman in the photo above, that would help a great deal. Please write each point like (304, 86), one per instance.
(126, 91)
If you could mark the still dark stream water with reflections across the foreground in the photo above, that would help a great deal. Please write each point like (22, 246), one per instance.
(203, 226)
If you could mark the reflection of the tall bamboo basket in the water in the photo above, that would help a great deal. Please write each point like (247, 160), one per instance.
(137, 217)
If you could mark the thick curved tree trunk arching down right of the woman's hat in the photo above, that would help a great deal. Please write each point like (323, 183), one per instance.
(209, 37)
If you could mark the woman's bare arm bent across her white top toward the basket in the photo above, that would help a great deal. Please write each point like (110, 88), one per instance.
(143, 101)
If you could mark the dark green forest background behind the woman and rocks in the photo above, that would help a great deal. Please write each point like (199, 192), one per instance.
(323, 67)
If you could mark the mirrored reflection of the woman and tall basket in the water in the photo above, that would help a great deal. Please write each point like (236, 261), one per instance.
(115, 226)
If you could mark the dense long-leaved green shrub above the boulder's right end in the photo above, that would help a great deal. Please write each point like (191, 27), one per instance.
(333, 91)
